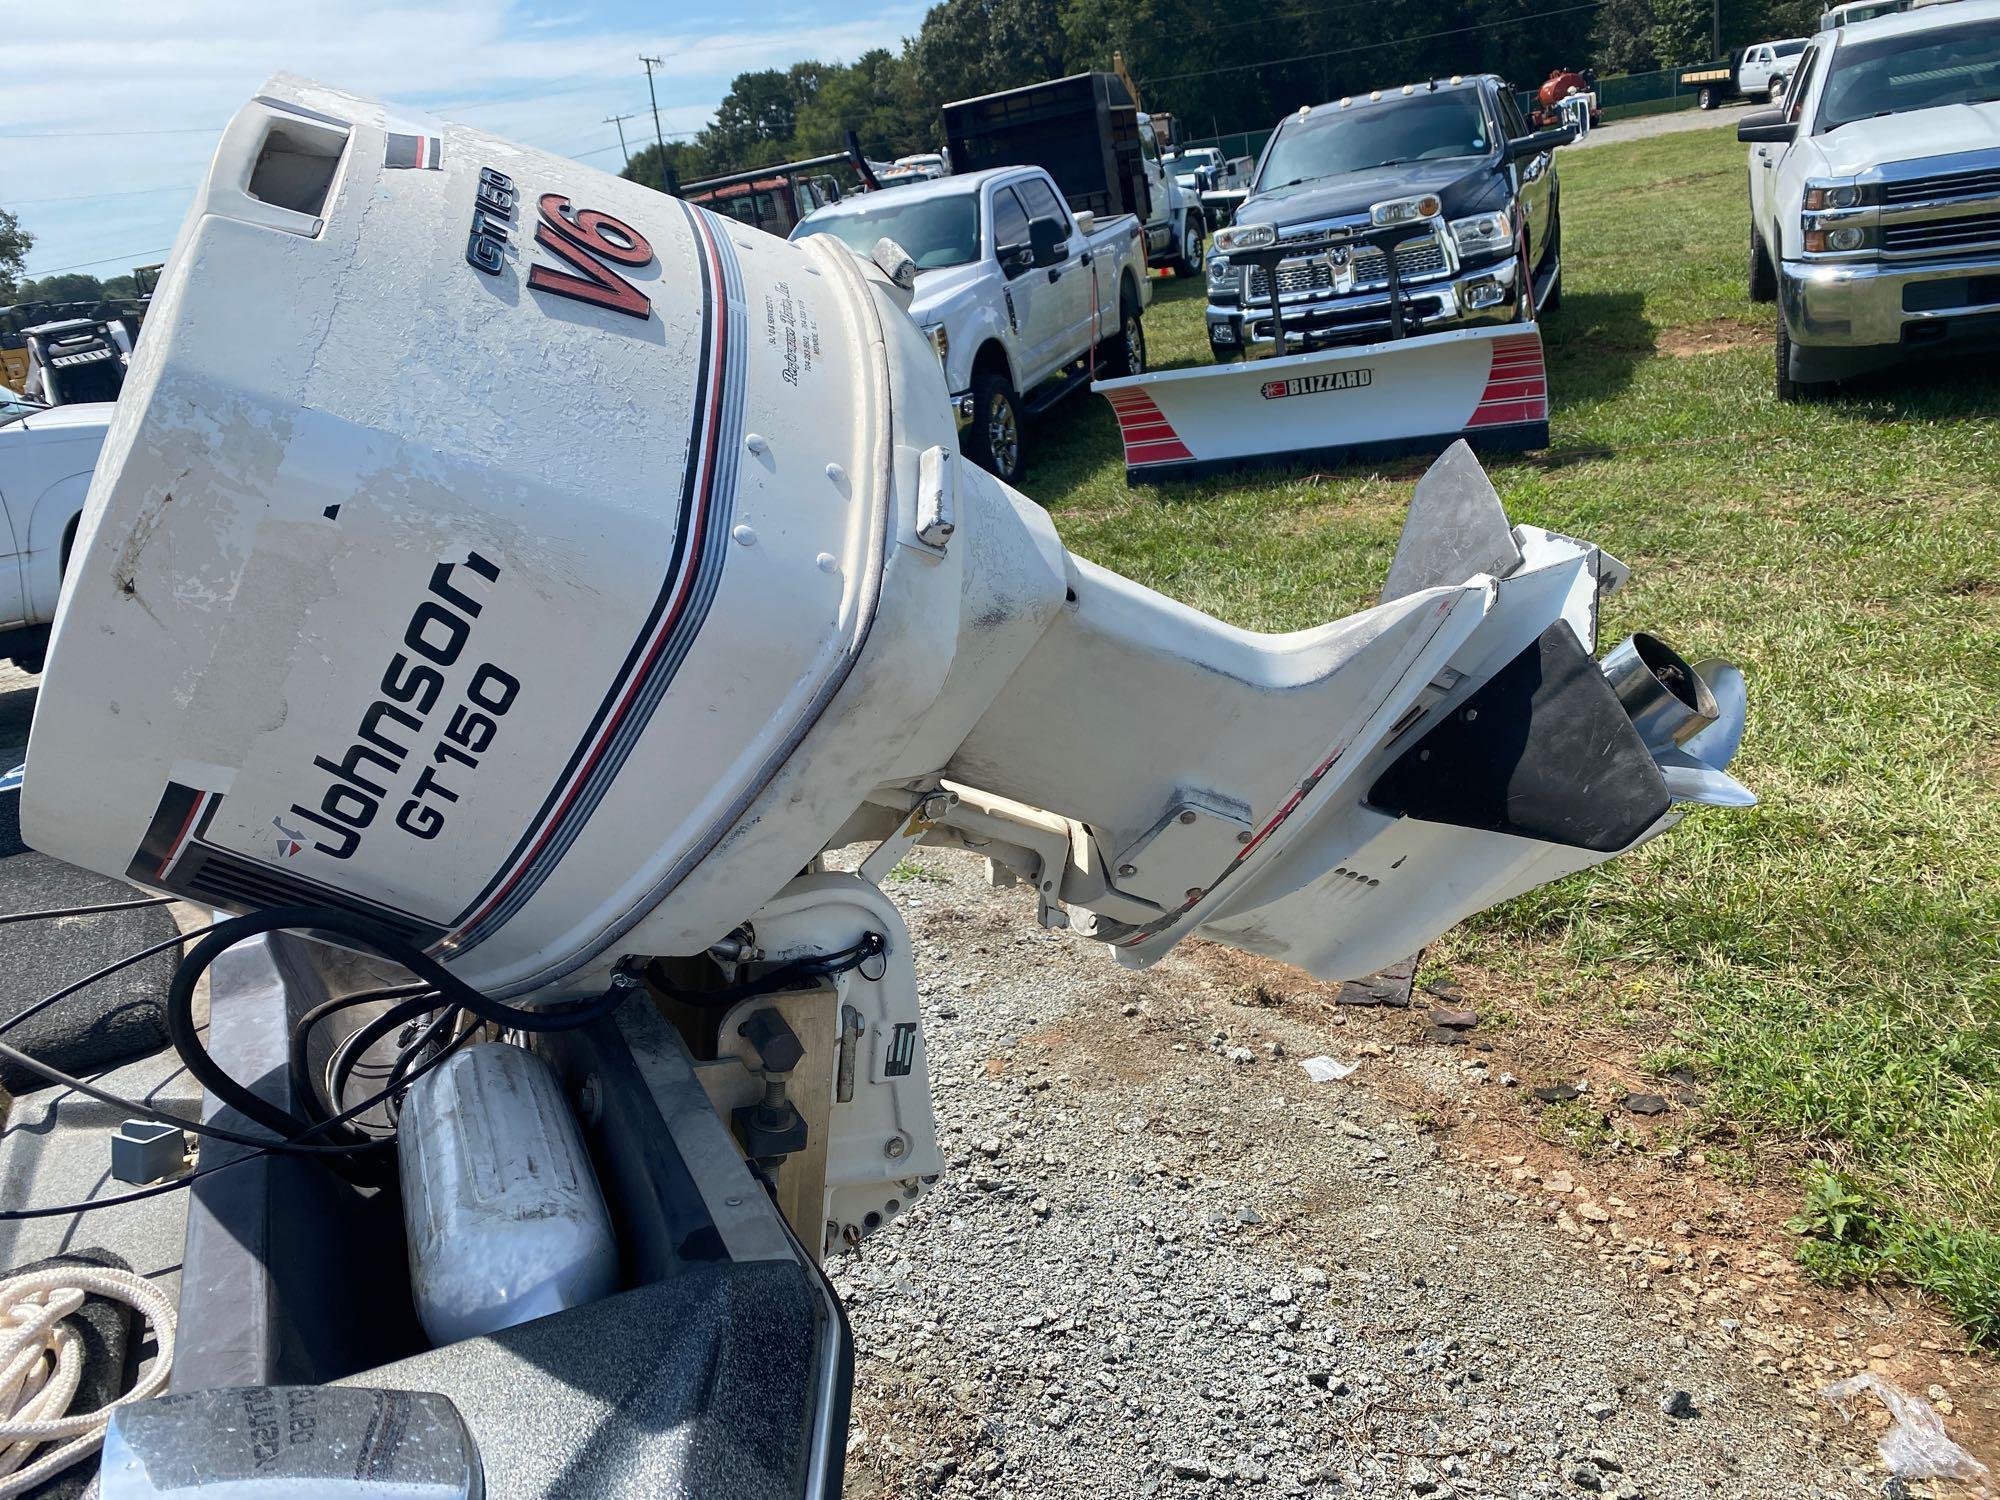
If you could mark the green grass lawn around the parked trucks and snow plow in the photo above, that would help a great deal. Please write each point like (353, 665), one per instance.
(1831, 963)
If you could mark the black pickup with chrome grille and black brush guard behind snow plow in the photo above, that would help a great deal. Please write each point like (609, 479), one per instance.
(1455, 159)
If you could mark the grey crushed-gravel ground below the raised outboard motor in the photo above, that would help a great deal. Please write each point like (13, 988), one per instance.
(1163, 1263)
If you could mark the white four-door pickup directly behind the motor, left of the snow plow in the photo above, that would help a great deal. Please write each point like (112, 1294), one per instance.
(1023, 299)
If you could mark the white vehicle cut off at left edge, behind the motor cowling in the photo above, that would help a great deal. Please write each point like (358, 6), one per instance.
(47, 455)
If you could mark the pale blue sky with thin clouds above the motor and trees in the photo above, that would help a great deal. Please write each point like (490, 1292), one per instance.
(109, 109)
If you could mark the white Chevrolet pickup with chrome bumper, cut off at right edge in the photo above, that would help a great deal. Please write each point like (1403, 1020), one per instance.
(1875, 197)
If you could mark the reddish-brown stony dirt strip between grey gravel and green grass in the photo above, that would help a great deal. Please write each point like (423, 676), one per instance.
(1679, 1205)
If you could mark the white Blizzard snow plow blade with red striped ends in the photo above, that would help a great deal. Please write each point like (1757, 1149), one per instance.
(1337, 407)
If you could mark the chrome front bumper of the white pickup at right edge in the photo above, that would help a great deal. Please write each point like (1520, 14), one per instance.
(1871, 305)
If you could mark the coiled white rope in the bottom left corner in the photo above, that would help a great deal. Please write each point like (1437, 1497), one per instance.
(43, 1363)
